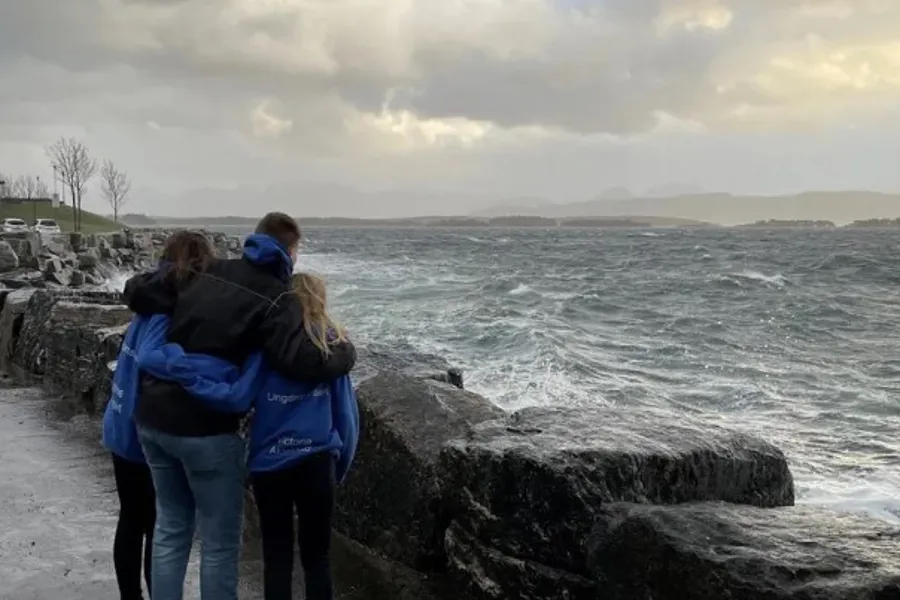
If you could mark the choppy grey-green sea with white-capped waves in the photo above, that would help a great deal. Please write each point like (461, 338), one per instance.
(793, 335)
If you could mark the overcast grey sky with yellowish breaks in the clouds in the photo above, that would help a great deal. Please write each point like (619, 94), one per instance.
(559, 98)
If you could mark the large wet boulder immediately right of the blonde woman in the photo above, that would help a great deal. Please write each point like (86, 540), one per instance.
(392, 501)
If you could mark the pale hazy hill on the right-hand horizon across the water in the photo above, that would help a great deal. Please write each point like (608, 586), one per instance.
(726, 209)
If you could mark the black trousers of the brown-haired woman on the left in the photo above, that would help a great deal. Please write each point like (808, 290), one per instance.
(134, 531)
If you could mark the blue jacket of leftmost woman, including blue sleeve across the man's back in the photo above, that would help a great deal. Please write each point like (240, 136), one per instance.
(204, 376)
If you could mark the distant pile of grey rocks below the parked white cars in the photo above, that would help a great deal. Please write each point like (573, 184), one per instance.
(73, 260)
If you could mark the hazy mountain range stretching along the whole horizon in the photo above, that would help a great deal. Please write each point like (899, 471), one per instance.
(675, 201)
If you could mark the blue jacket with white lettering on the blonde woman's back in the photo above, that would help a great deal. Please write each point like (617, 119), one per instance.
(294, 420)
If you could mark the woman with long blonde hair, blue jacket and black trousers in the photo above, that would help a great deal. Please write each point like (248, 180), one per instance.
(302, 441)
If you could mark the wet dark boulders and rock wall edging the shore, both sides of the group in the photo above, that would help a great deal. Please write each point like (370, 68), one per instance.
(451, 497)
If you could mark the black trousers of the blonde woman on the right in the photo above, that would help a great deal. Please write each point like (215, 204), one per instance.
(308, 488)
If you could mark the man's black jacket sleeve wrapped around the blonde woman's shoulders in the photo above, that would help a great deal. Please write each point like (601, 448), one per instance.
(289, 350)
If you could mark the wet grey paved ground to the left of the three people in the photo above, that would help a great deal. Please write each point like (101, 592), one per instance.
(58, 507)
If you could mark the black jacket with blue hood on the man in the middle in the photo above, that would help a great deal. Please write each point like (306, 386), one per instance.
(235, 308)
